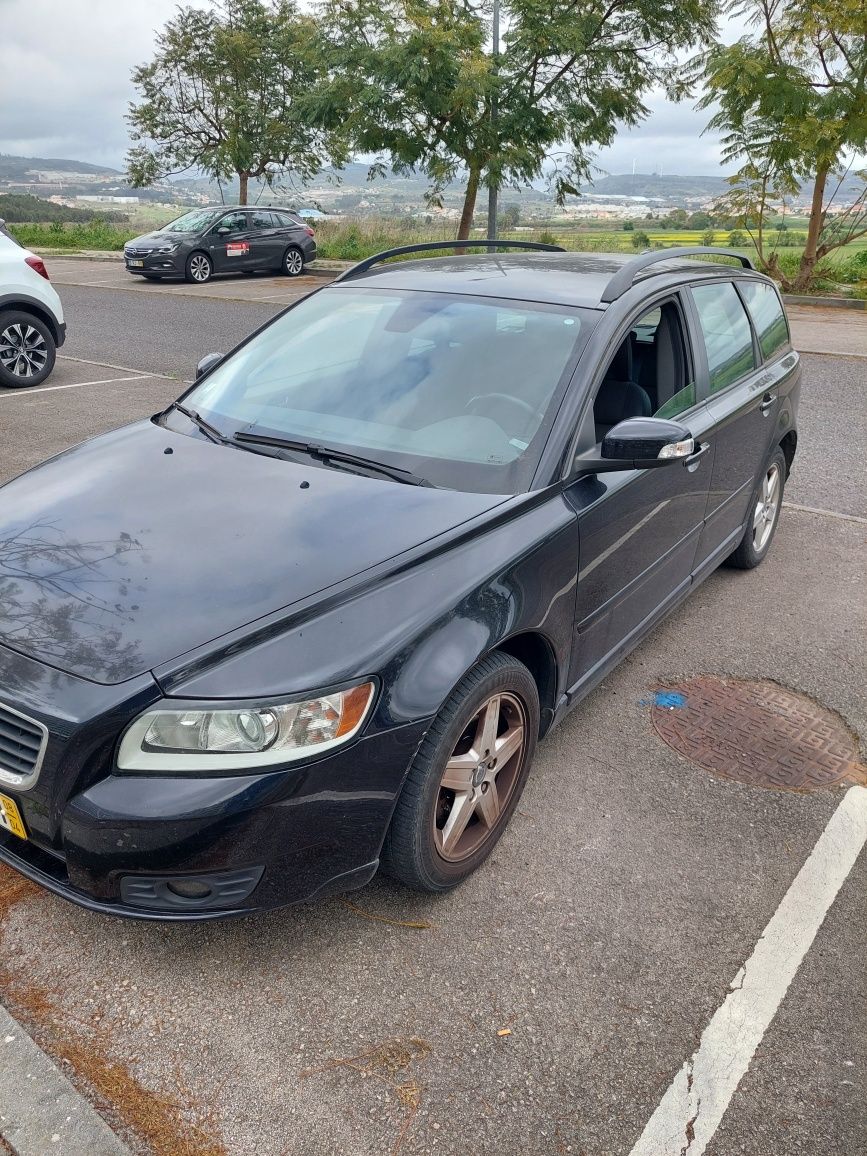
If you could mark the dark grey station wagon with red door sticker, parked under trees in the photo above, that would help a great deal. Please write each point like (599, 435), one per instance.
(227, 240)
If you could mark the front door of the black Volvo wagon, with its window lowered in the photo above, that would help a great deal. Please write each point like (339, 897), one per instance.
(639, 530)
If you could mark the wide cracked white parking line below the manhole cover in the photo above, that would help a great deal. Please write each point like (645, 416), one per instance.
(692, 1109)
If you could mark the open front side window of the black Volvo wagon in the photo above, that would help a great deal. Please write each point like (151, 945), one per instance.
(649, 375)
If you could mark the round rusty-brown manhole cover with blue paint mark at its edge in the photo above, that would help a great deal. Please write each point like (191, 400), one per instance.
(758, 733)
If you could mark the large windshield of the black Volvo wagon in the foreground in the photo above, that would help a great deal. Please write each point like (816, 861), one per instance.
(461, 391)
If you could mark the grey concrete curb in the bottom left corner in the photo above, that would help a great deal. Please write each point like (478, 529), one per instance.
(41, 1113)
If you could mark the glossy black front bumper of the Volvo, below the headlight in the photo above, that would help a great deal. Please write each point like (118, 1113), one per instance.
(275, 838)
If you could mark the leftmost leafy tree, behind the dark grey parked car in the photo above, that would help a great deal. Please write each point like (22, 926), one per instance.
(229, 93)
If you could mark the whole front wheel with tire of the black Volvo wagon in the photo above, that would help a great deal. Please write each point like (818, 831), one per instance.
(421, 850)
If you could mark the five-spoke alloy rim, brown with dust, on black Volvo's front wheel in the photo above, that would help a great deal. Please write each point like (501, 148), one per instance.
(480, 777)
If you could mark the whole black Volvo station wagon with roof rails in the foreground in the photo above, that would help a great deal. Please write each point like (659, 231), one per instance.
(314, 618)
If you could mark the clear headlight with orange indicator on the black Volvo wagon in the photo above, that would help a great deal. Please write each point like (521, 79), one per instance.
(240, 738)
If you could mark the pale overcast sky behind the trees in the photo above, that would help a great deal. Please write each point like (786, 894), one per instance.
(65, 87)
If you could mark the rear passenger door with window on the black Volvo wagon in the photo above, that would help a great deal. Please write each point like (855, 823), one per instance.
(743, 403)
